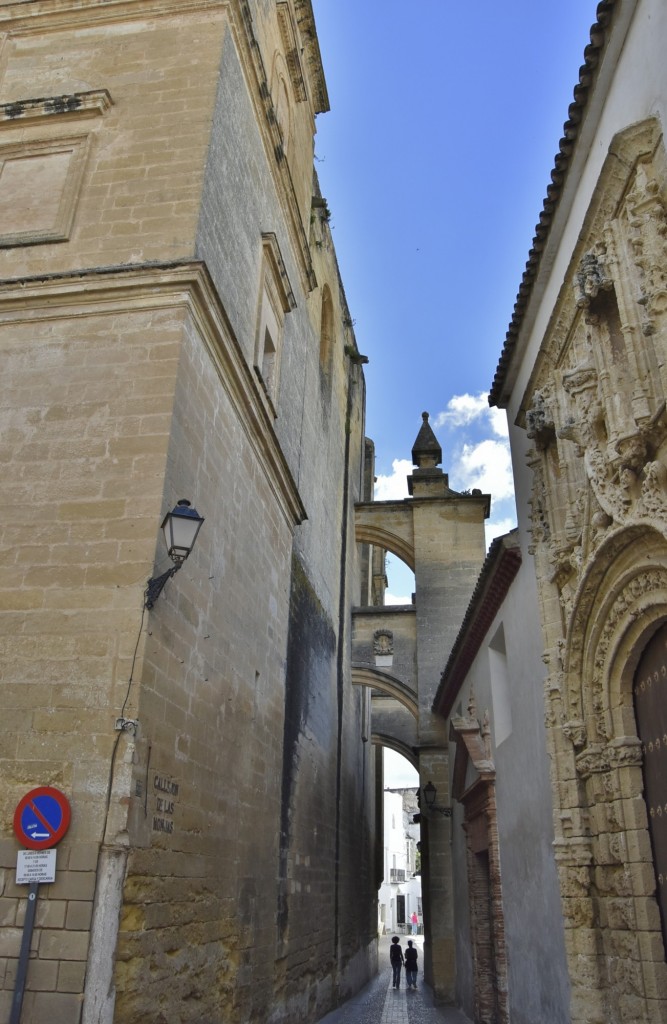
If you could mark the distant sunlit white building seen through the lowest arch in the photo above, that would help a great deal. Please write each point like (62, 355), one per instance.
(400, 894)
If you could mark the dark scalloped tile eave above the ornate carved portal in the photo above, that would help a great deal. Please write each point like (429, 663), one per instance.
(589, 74)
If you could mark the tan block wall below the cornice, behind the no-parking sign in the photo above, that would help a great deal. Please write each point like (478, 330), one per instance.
(87, 416)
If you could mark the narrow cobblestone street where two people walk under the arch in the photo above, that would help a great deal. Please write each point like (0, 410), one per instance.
(380, 1003)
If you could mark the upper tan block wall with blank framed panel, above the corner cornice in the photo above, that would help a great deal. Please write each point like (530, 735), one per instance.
(134, 195)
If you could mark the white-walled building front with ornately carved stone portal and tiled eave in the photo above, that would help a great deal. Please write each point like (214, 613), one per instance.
(582, 377)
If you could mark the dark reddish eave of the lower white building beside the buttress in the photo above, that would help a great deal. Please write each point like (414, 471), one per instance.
(502, 566)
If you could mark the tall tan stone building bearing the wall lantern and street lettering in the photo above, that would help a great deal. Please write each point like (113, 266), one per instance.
(173, 325)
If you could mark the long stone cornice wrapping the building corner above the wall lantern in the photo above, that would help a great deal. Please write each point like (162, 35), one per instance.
(157, 286)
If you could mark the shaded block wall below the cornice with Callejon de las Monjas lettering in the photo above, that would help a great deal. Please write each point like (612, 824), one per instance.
(198, 922)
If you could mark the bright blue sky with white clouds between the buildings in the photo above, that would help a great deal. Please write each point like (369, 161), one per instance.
(435, 160)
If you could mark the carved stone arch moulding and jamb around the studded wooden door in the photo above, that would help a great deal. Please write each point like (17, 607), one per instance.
(621, 601)
